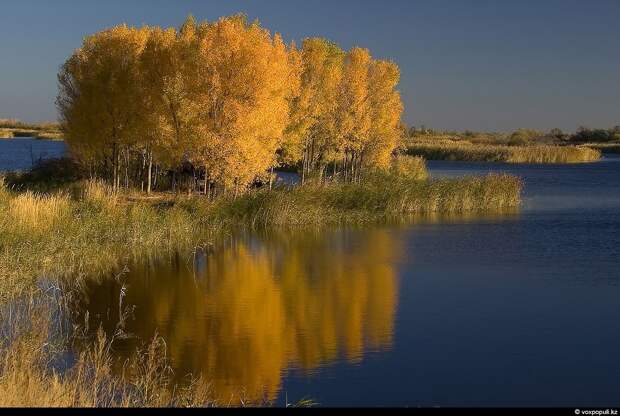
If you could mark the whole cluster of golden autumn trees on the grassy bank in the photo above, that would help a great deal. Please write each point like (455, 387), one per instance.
(225, 102)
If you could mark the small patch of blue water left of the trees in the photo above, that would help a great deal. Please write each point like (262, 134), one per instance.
(21, 153)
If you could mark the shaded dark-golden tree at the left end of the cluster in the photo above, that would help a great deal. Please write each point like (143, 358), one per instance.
(98, 86)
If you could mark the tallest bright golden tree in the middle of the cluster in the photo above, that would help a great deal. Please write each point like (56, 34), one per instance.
(243, 94)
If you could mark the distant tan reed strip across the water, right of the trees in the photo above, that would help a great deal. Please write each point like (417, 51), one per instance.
(465, 151)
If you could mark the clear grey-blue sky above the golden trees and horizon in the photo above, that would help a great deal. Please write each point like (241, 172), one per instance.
(480, 65)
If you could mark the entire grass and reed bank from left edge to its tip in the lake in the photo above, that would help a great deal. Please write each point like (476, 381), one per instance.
(85, 229)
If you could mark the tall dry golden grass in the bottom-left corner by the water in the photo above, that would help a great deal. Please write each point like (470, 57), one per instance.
(30, 374)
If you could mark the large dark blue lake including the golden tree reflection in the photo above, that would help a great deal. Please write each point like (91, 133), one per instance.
(517, 309)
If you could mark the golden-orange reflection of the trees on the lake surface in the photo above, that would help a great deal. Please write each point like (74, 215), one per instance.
(245, 313)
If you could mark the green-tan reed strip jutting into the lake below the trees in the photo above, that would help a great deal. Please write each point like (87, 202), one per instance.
(375, 199)
